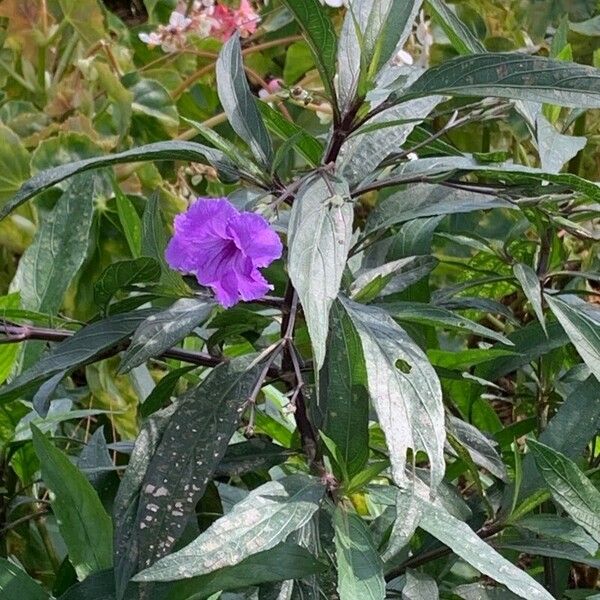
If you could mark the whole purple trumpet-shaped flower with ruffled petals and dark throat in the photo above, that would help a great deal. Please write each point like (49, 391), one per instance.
(224, 249)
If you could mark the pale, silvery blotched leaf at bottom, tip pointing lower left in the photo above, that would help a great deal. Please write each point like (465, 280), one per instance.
(259, 522)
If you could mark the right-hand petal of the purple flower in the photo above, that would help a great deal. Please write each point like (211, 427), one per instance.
(255, 238)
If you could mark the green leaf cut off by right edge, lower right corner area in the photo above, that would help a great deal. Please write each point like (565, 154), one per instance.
(570, 488)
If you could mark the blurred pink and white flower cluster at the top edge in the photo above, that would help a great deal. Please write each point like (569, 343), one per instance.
(205, 19)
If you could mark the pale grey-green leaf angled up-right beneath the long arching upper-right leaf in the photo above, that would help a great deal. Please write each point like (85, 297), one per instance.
(364, 151)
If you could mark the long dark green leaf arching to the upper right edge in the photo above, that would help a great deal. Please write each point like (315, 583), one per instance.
(510, 75)
